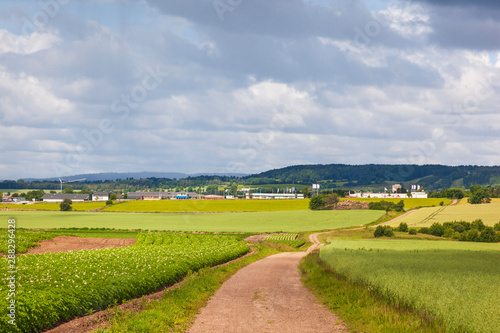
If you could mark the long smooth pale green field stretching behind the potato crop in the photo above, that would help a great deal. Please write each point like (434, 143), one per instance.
(286, 221)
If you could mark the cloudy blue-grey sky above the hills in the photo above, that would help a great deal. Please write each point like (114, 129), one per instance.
(240, 86)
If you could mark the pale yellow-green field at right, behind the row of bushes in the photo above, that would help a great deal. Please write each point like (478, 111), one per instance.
(489, 213)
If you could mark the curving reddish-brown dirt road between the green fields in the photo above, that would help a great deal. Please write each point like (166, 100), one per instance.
(267, 296)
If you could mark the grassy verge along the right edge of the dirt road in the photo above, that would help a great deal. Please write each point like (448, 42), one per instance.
(357, 305)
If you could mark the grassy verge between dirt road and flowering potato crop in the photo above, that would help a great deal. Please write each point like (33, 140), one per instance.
(176, 310)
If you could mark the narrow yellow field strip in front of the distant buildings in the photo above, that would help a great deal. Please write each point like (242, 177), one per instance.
(187, 206)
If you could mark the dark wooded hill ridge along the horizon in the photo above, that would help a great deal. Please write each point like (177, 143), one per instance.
(330, 176)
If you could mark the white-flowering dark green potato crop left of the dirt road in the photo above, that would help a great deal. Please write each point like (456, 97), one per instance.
(54, 287)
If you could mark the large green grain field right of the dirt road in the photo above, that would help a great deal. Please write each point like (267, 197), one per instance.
(455, 282)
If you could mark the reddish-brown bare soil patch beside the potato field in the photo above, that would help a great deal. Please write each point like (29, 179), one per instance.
(70, 243)
